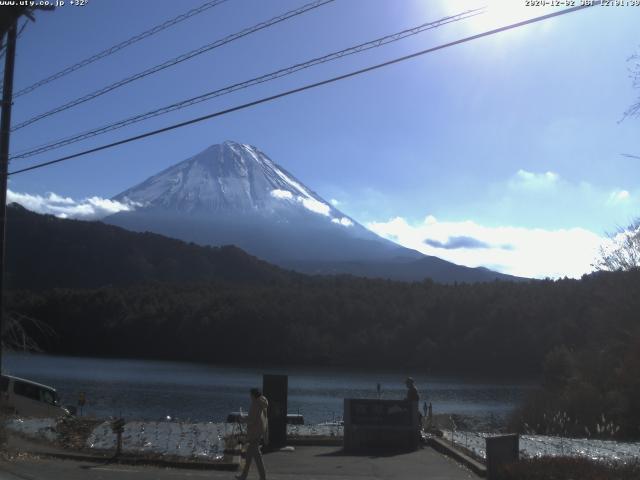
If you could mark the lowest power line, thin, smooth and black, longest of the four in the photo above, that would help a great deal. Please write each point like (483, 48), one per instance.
(305, 87)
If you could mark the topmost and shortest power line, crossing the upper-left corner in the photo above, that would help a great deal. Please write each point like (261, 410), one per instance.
(111, 50)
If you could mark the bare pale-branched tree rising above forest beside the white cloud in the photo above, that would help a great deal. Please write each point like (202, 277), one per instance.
(622, 251)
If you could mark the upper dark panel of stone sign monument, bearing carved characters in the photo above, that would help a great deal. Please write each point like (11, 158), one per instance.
(367, 412)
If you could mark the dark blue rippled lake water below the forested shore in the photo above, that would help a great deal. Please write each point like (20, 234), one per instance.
(153, 390)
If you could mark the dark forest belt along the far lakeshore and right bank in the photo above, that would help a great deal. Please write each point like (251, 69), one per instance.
(580, 337)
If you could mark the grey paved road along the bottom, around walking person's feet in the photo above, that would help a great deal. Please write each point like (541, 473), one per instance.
(313, 463)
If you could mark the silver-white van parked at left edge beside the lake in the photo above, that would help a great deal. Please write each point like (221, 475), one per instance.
(29, 399)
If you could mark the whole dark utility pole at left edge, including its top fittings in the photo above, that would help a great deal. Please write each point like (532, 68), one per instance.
(9, 24)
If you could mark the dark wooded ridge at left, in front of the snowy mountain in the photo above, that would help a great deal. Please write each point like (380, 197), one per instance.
(48, 252)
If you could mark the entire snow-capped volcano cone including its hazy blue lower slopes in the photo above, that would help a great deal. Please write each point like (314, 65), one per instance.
(233, 194)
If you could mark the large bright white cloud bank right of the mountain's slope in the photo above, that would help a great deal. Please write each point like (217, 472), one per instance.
(526, 252)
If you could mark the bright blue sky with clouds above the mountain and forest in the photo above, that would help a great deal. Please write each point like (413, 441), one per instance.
(514, 141)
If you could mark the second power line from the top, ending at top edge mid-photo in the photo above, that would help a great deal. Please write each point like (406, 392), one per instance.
(174, 61)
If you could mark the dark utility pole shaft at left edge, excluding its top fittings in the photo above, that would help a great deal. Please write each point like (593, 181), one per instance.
(5, 127)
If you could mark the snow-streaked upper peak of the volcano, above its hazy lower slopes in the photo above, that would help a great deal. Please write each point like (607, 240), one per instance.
(230, 177)
